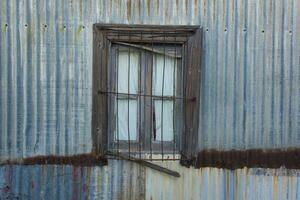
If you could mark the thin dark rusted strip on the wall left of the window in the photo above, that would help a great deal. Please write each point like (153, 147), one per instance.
(75, 160)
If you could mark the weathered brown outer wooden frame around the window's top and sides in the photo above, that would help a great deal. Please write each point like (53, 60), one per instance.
(190, 37)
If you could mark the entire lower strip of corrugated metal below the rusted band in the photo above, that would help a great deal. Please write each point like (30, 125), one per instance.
(124, 180)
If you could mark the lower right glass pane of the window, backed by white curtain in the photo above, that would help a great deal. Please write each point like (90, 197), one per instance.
(166, 121)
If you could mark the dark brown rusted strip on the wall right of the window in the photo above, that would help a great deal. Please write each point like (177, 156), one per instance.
(254, 158)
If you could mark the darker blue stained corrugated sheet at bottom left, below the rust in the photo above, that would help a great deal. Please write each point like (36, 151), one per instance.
(119, 180)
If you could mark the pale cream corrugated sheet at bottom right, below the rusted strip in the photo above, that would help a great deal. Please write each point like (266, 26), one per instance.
(212, 183)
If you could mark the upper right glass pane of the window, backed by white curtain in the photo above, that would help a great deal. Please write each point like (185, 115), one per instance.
(163, 66)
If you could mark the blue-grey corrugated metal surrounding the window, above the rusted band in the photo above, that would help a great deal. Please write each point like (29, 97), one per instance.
(249, 87)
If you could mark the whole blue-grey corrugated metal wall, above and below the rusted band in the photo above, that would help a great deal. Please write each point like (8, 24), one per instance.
(250, 93)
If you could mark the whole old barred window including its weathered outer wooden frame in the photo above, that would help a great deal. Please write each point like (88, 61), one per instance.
(146, 90)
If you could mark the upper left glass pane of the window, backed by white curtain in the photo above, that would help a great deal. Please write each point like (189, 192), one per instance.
(123, 66)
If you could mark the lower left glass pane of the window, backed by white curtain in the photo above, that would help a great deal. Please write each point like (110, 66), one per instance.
(122, 119)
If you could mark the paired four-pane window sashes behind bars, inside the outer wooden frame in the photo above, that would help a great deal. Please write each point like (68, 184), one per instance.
(145, 98)
